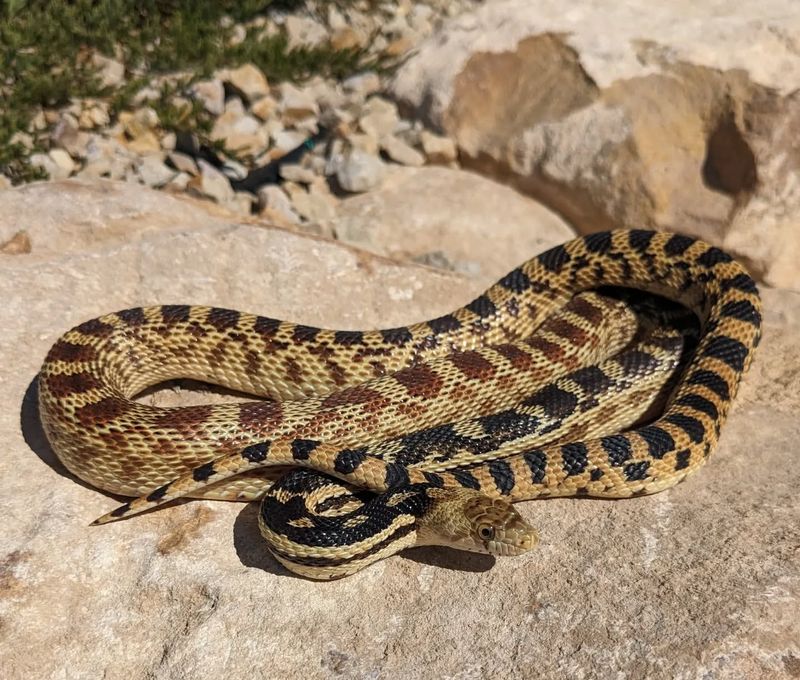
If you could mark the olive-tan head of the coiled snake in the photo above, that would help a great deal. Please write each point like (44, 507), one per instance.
(468, 520)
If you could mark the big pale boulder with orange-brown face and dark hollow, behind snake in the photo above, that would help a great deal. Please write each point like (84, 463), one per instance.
(683, 116)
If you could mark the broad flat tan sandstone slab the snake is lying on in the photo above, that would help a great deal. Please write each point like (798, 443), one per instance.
(700, 581)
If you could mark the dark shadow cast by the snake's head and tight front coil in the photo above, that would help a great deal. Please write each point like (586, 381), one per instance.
(252, 551)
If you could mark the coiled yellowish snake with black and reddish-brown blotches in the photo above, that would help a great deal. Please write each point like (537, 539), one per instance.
(366, 442)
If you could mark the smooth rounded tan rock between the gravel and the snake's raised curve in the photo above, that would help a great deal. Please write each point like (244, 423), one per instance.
(440, 216)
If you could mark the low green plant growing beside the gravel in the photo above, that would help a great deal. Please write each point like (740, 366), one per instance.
(46, 49)
